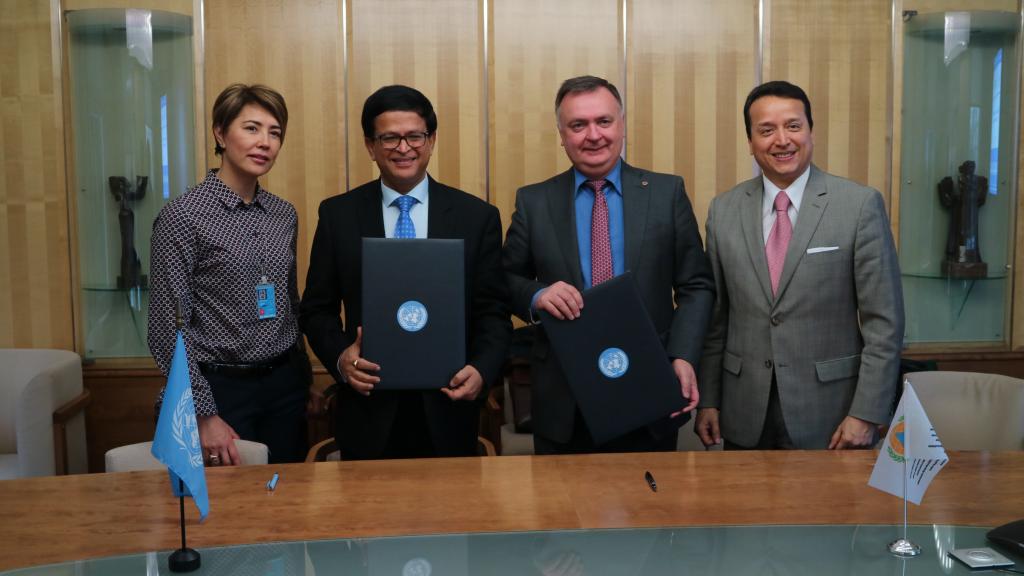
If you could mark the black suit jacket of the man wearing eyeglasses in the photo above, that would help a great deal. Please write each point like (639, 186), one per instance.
(335, 279)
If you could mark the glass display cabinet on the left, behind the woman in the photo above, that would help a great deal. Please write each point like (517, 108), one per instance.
(133, 119)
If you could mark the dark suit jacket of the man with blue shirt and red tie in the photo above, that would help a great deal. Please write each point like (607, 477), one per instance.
(663, 251)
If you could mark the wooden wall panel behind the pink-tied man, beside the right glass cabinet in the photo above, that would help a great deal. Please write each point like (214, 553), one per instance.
(839, 52)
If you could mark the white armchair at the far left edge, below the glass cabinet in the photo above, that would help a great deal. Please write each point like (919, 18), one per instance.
(42, 421)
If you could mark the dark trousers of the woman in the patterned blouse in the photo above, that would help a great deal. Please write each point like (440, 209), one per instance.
(270, 408)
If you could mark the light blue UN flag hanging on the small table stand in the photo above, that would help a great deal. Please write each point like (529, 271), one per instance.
(177, 441)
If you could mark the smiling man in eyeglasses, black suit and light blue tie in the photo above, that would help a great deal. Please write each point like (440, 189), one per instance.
(400, 129)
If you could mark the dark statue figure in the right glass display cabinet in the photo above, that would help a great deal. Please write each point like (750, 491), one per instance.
(963, 254)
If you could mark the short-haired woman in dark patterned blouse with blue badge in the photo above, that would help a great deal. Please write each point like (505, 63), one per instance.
(225, 253)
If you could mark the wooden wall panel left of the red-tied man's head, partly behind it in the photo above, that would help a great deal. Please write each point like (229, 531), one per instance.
(537, 46)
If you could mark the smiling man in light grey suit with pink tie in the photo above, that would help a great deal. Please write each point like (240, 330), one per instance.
(805, 341)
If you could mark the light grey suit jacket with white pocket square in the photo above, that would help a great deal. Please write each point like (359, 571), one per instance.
(834, 334)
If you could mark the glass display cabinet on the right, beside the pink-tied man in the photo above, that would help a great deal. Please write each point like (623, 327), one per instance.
(958, 176)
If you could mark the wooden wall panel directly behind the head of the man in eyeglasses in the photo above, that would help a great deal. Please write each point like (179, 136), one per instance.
(438, 51)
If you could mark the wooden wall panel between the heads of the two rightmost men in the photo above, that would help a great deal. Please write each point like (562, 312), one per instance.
(692, 66)
